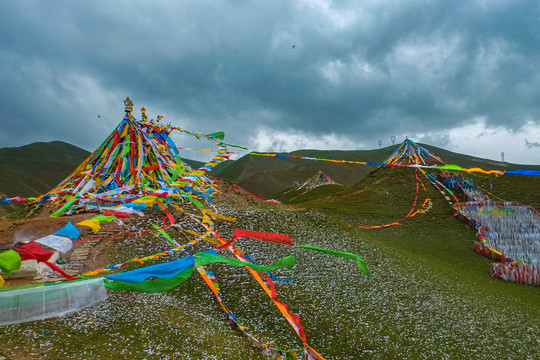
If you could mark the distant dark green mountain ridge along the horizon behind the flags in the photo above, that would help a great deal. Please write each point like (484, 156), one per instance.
(34, 169)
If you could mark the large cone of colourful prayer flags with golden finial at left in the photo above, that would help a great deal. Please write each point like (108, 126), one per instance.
(137, 159)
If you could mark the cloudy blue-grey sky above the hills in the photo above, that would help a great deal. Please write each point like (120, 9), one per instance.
(277, 75)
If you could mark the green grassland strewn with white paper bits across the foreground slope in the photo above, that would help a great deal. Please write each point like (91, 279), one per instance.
(429, 296)
